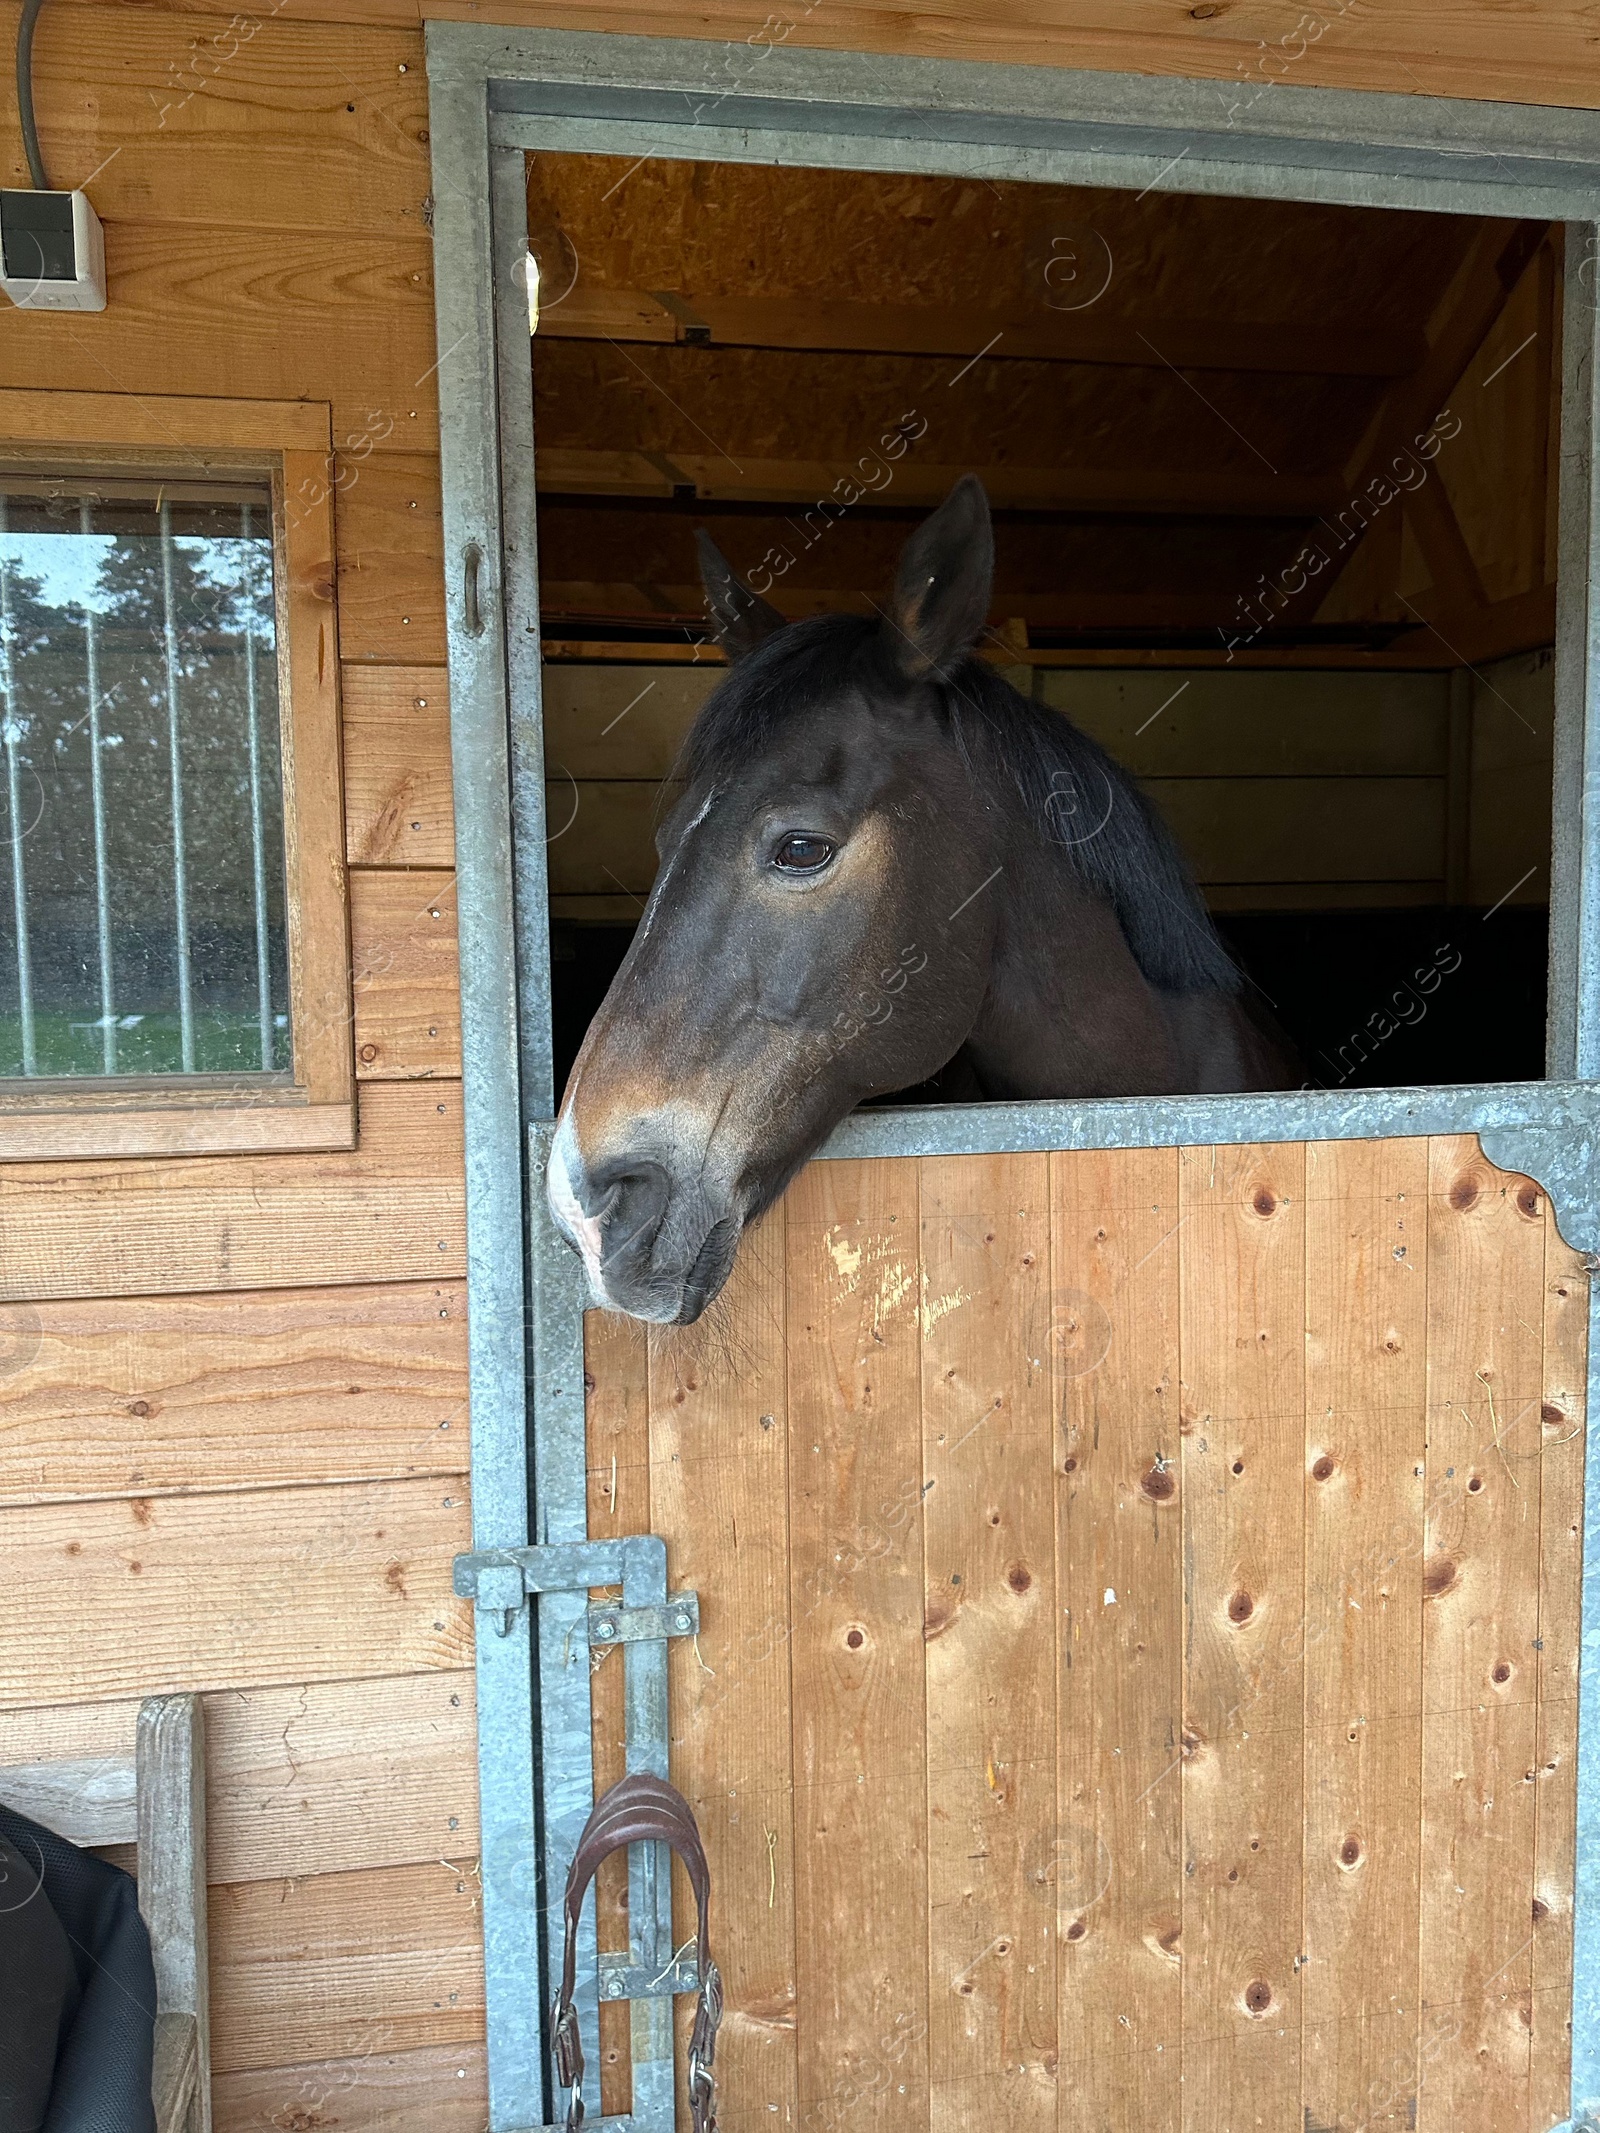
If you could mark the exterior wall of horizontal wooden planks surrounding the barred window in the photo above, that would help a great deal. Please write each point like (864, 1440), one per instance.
(236, 1396)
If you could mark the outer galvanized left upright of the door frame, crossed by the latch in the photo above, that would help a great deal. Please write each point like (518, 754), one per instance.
(492, 1108)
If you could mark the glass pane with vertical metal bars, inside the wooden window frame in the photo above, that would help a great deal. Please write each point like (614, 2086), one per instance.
(142, 814)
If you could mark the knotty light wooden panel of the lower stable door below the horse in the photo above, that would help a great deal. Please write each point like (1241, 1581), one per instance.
(1140, 1629)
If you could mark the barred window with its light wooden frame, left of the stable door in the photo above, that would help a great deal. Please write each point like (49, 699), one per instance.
(174, 969)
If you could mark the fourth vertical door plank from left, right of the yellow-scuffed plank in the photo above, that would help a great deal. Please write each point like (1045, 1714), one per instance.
(991, 1635)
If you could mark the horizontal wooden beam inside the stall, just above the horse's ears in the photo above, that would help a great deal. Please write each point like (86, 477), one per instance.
(901, 483)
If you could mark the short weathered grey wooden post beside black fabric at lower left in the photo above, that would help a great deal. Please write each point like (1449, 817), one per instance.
(172, 1897)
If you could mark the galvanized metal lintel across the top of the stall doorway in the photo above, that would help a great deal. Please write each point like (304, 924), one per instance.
(761, 99)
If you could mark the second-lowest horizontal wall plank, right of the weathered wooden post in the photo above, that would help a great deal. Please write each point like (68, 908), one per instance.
(342, 1966)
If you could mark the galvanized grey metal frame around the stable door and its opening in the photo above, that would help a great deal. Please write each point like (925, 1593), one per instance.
(502, 93)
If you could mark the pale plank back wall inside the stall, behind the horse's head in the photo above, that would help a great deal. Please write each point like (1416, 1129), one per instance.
(1290, 790)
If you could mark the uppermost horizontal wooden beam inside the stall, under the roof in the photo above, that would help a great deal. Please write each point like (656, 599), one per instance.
(1038, 336)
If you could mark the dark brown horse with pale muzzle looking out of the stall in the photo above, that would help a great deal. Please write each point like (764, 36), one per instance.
(884, 867)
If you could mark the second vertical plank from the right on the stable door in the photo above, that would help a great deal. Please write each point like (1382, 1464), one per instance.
(1486, 1309)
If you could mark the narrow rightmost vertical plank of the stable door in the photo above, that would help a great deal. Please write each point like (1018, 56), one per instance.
(1561, 1646)
